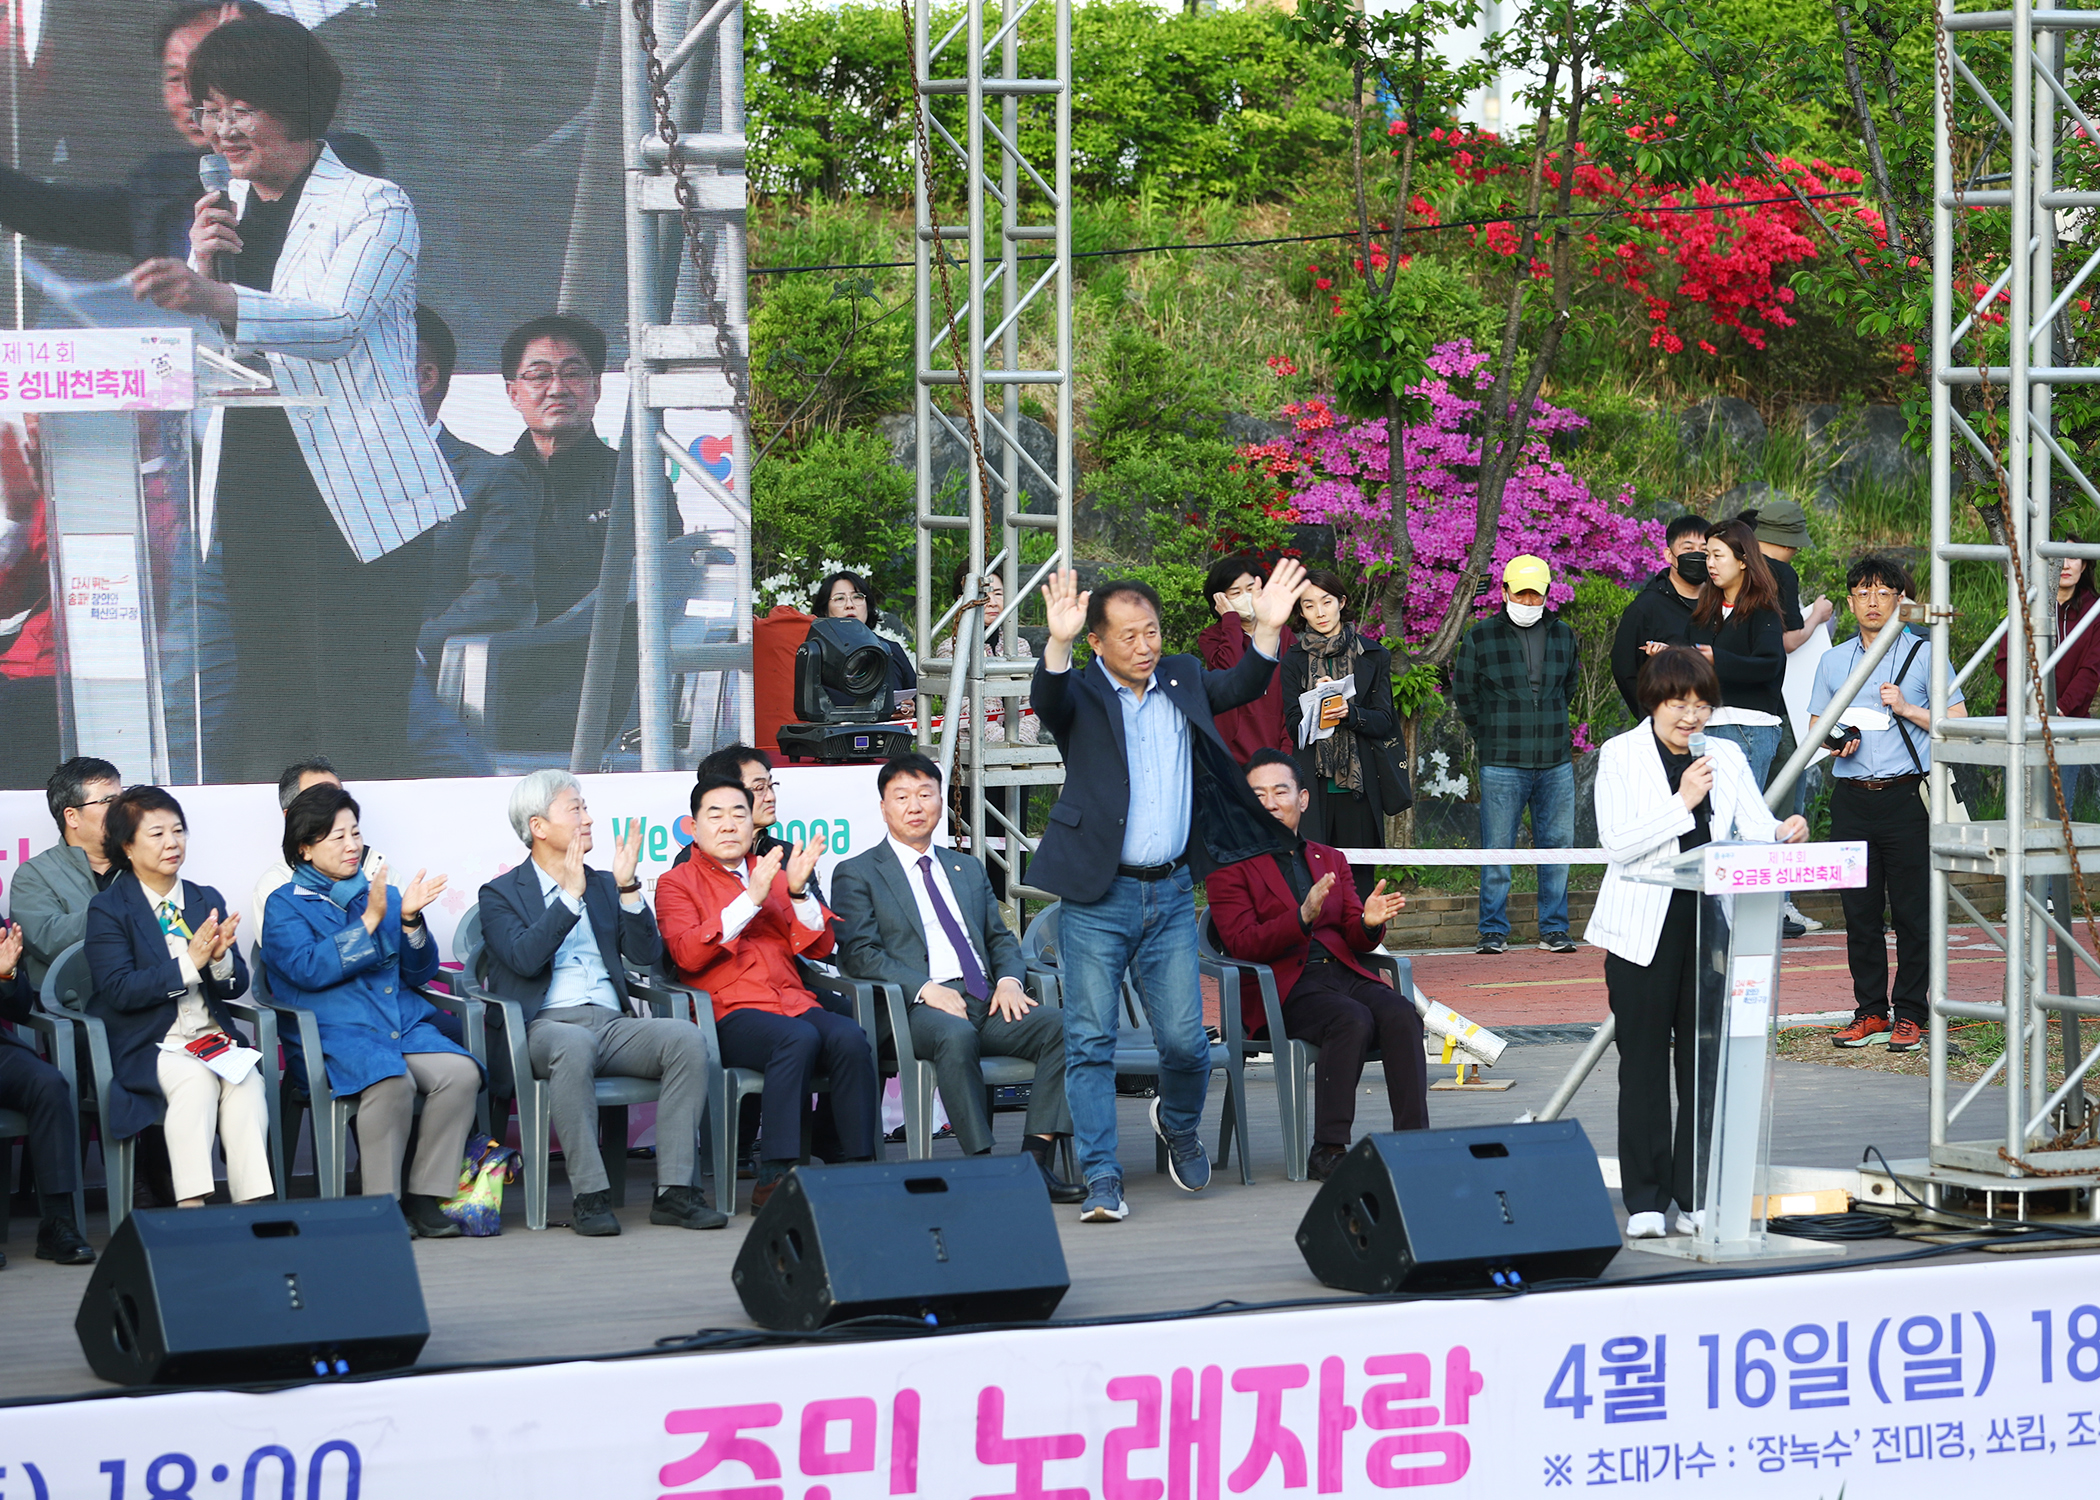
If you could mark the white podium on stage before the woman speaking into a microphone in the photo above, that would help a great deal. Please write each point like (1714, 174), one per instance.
(1742, 896)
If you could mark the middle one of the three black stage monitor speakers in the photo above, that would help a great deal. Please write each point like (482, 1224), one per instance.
(959, 1243)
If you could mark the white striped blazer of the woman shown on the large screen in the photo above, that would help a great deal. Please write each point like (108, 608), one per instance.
(339, 325)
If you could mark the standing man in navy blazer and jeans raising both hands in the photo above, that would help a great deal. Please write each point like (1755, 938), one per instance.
(1152, 804)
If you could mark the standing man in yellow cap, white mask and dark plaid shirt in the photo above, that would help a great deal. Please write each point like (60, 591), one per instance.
(1513, 682)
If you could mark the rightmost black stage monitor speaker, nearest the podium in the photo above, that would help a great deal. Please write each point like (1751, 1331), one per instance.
(1425, 1211)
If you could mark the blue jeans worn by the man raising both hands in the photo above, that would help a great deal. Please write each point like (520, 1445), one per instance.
(1150, 930)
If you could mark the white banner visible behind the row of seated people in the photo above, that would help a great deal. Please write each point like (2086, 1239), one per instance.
(463, 829)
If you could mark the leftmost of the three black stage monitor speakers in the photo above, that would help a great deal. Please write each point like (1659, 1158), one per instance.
(255, 1293)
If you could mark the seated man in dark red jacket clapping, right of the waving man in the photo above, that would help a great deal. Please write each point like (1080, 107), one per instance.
(1299, 913)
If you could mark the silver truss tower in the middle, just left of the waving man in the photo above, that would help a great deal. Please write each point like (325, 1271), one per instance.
(961, 348)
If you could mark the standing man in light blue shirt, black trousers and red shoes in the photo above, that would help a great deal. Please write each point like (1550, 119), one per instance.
(1883, 751)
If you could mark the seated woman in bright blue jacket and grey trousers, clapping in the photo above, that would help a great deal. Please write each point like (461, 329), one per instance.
(331, 949)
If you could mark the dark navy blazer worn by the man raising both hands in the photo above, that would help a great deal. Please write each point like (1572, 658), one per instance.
(1085, 837)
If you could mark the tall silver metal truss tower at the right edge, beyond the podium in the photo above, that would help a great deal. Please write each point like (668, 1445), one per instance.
(1998, 360)
